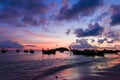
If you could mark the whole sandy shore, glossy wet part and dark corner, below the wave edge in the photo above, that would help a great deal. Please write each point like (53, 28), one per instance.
(107, 69)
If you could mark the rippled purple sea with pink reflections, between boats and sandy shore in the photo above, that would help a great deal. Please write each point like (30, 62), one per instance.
(26, 66)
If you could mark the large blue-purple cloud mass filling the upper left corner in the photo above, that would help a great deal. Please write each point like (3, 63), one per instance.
(23, 12)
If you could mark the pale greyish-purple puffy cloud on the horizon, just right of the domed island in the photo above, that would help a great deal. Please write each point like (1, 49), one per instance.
(81, 44)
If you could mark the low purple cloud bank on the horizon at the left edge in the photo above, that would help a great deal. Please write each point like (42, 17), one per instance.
(10, 44)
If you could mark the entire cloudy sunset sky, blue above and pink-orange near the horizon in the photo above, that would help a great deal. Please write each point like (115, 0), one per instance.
(54, 23)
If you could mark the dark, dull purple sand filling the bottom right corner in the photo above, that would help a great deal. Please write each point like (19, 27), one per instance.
(107, 74)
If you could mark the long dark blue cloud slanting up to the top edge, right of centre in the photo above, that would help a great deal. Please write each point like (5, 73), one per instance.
(81, 8)
